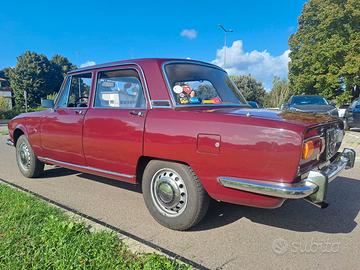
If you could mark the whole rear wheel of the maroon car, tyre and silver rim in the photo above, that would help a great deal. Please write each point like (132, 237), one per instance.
(173, 194)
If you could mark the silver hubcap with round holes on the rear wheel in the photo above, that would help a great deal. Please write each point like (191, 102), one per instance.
(168, 192)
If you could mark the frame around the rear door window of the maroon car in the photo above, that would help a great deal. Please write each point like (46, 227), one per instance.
(114, 69)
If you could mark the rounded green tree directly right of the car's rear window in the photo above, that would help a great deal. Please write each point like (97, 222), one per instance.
(252, 89)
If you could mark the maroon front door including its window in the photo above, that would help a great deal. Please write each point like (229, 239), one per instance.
(61, 130)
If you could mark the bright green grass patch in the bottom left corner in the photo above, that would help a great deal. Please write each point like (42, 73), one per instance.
(36, 235)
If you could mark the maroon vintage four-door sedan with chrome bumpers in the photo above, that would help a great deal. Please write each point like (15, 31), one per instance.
(182, 130)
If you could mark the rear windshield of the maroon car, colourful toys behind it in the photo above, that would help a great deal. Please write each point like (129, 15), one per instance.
(194, 84)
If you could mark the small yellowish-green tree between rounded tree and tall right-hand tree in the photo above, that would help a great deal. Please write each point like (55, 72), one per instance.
(279, 94)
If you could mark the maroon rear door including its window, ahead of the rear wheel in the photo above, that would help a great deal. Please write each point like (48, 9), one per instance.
(114, 126)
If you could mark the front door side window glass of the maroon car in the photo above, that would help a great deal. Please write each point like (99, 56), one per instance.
(76, 91)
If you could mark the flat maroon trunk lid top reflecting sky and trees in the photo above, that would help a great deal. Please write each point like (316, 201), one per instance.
(298, 118)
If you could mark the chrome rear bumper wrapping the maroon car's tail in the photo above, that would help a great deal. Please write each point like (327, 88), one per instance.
(314, 187)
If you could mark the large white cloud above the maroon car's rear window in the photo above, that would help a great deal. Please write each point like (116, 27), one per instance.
(261, 65)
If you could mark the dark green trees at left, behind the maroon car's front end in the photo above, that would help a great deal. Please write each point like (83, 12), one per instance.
(38, 76)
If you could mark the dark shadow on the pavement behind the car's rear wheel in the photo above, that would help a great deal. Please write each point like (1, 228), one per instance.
(296, 215)
